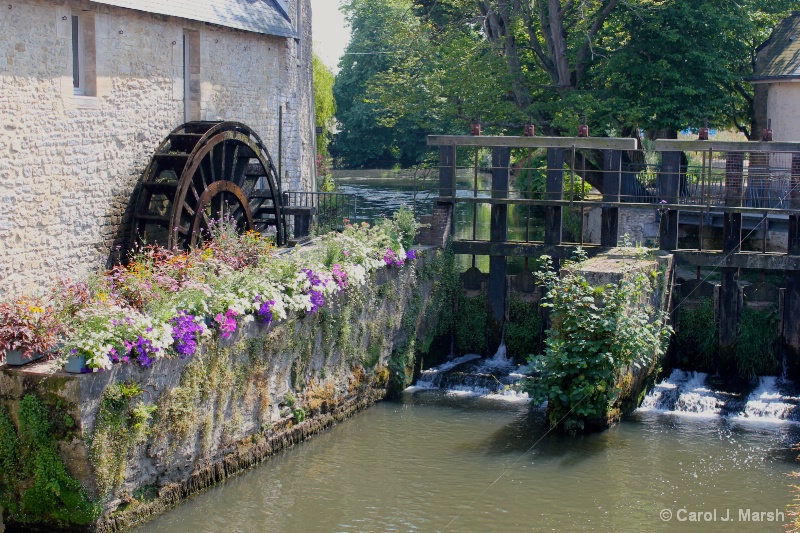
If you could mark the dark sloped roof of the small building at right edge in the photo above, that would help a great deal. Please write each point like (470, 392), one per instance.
(779, 56)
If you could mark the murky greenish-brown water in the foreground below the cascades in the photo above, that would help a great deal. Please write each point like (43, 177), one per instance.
(444, 461)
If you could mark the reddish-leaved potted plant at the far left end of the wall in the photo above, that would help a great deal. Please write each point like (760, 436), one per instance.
(28, 325)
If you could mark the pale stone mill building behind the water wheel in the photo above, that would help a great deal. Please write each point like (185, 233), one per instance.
(90, 88)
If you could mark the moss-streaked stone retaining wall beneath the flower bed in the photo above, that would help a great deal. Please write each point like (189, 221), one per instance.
(141, 440)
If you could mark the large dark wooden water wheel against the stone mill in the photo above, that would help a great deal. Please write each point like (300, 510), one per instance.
(205, 171)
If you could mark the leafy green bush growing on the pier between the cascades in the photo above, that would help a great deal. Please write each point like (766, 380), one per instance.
(596, 334)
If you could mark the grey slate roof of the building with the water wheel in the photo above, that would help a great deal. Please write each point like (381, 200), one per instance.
(268, 17)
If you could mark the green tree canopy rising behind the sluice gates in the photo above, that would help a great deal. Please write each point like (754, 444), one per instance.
(415, 67)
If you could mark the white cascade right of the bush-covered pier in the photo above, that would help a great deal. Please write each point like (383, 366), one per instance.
(688, 393)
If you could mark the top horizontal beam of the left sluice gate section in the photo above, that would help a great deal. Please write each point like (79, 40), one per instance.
(580, 143)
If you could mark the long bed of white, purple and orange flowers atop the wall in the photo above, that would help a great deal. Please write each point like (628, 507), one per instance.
(163, 303)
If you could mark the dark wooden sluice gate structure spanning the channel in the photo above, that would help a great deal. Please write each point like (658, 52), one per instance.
(683, 185)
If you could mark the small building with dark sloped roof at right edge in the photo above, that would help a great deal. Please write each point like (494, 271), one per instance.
(777, 81)
